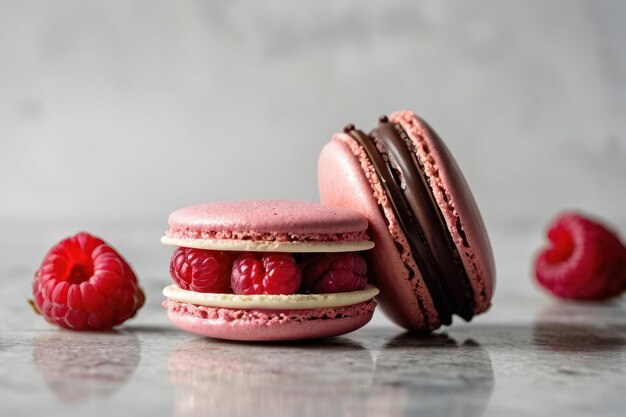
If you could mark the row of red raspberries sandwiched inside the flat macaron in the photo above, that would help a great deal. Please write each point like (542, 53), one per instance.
(250, 273)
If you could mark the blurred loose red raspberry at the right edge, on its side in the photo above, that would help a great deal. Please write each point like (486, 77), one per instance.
(585, 260)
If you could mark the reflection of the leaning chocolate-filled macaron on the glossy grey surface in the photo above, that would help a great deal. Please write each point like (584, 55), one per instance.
(431, 376)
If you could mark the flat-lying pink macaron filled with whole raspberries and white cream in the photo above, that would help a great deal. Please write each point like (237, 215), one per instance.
(268, 270)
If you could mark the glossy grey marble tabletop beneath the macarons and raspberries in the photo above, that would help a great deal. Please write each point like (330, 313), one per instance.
(528, 356)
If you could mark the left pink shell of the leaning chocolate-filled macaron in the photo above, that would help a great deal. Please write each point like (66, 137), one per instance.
(346, 178)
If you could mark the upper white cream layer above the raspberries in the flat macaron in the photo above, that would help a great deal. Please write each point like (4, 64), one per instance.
(260, 246)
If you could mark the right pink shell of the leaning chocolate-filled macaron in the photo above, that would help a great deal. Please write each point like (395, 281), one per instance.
(457, 204)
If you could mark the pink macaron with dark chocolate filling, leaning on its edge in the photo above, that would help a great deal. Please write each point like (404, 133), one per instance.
(432, 258)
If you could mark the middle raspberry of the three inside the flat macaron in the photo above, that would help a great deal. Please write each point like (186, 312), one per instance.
(271, 273)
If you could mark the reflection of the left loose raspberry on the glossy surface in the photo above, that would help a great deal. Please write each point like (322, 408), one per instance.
(77, 366)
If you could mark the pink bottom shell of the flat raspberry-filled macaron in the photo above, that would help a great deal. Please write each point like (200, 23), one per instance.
(269, 325)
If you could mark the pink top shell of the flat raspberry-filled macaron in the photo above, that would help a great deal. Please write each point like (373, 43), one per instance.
(268, 220)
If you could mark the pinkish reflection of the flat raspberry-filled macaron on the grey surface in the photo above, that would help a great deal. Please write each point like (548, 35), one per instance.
(328, 378)
